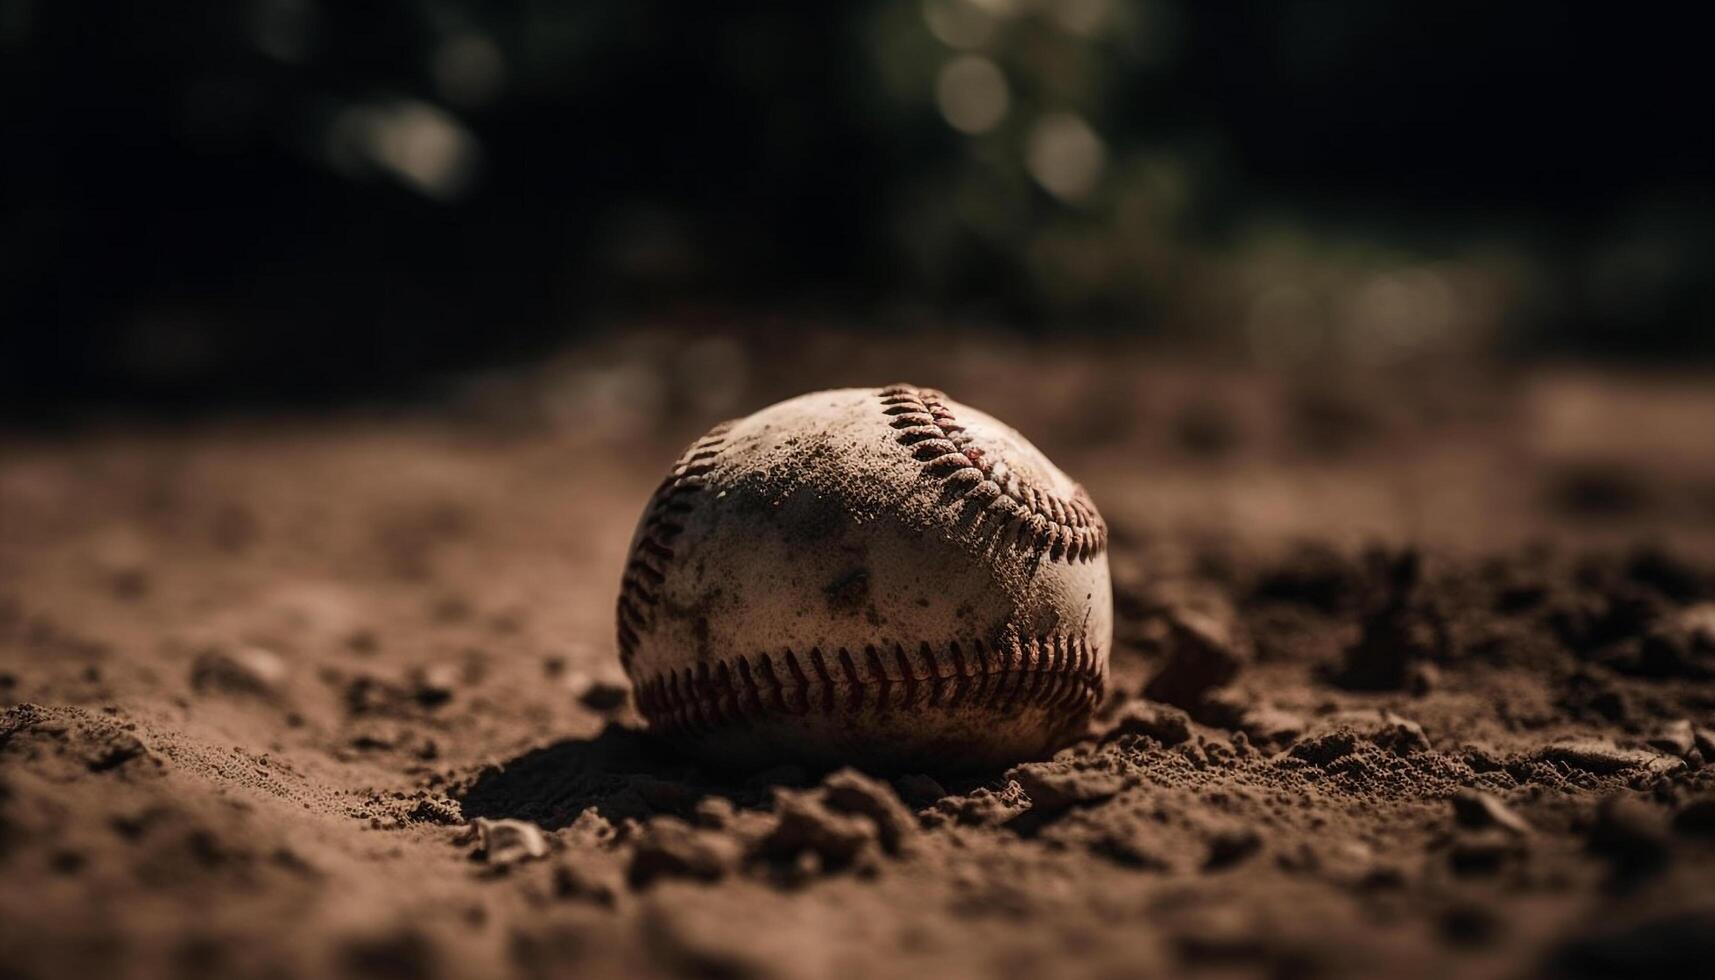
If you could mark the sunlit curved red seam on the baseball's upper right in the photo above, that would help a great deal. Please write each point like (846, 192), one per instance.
(1038, 521)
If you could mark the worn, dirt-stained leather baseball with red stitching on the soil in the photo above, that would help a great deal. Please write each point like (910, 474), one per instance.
(879, 578)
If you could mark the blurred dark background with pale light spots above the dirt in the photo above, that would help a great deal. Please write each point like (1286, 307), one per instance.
(222, 202)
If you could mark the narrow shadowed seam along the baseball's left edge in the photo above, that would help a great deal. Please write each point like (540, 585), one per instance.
(647, 567)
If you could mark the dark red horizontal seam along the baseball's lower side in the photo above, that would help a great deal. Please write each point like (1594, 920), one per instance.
(1059, 674)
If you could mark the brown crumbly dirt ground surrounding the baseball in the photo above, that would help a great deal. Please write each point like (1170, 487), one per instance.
(1429, 662)
